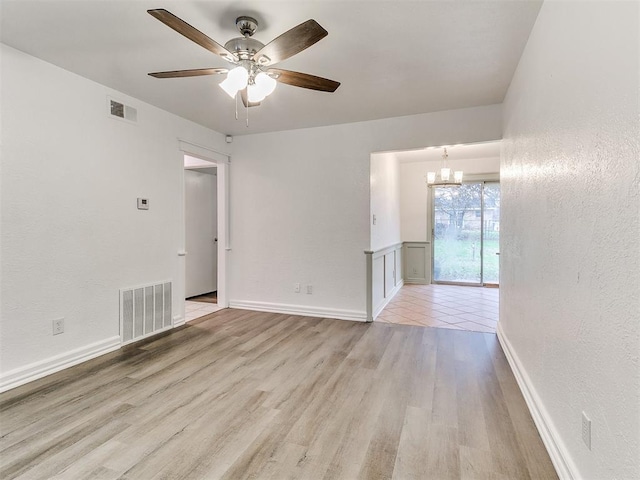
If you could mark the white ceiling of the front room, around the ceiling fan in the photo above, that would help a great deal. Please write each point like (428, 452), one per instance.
(393, 58)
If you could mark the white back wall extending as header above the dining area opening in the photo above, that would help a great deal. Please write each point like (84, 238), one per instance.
(300, 205)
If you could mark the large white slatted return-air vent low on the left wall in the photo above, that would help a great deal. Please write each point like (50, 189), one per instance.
(144, 310)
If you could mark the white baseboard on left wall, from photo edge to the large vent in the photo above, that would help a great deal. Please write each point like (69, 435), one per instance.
(20, 376)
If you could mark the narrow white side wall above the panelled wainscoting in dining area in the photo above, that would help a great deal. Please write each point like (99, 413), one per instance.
(385, 200)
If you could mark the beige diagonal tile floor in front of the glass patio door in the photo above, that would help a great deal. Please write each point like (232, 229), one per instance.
(444, 306)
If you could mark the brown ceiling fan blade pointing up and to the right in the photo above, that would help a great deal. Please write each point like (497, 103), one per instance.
(290, 42)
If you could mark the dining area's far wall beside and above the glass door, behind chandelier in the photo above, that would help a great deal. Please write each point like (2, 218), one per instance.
(415, 196)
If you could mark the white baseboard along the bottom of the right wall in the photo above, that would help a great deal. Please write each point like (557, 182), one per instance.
(565, 468)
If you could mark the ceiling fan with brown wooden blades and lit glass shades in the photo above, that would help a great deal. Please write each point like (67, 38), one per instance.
(253, 76)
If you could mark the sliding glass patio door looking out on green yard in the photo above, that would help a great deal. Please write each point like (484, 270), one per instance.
(465, 233)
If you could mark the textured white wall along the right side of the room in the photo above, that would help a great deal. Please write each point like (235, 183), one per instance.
(570, 231)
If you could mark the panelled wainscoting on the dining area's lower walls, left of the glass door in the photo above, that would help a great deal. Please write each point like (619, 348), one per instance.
(389, 268)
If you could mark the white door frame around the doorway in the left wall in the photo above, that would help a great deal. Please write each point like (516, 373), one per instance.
(222, 162)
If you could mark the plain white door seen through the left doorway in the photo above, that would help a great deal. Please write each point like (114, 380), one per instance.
(201, 232)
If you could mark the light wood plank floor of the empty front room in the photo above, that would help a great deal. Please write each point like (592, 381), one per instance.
(242, 394)
